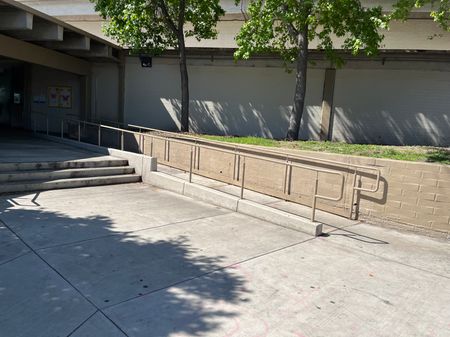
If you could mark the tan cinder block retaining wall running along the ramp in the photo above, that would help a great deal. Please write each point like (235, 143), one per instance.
(410, 193)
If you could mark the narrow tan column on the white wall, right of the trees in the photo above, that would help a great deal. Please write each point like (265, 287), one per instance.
(327, 104)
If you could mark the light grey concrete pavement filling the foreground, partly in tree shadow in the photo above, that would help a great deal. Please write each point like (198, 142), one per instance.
(133, 260)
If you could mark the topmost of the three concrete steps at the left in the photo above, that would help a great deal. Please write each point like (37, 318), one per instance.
(71, 164)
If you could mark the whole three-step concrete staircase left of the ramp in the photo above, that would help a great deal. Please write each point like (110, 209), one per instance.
(24, 177)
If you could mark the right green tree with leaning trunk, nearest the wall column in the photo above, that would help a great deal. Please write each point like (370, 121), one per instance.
(286, 27)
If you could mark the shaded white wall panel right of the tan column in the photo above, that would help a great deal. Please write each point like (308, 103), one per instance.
(392, 107)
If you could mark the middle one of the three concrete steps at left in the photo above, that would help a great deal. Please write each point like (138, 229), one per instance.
(26, 176)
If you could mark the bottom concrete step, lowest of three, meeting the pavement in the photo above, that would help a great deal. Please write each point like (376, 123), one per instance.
(11, 187)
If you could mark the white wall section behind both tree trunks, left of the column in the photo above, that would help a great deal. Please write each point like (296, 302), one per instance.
(225, 99)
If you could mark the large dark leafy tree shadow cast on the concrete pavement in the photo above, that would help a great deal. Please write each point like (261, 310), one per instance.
(148, 283)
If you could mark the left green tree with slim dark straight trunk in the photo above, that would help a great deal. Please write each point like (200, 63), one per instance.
(153, 26)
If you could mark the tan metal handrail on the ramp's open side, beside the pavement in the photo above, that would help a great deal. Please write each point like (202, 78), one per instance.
(243, 155)
